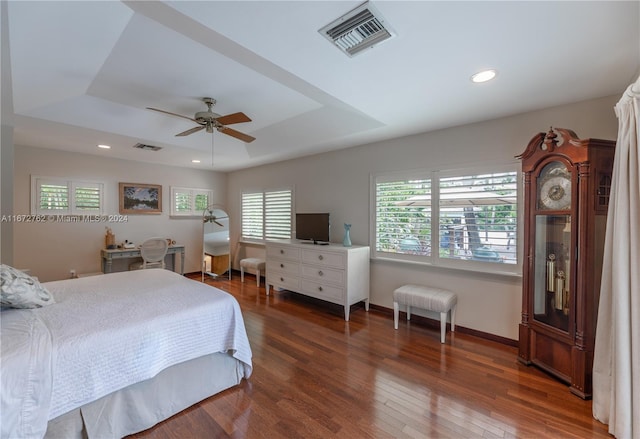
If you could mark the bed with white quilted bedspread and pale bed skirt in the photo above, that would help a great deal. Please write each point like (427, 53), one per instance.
(117, 353)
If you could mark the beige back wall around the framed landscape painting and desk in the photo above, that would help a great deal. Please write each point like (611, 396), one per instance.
(51, 249)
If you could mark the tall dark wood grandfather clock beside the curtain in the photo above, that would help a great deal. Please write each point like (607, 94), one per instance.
(566, 196)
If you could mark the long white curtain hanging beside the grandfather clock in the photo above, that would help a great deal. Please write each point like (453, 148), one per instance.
(616, 365)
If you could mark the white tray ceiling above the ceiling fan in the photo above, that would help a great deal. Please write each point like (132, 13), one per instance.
(82, 72)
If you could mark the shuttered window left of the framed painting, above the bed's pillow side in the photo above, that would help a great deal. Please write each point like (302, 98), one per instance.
(66, 197)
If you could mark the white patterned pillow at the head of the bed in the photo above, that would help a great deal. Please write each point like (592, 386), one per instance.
(19, 290)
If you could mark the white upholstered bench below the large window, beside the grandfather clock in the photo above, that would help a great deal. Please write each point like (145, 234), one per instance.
(429, 298)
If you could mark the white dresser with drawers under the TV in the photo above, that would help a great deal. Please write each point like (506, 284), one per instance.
(331, 272)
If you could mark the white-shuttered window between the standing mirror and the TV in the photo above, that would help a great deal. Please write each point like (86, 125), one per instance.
(266, 215)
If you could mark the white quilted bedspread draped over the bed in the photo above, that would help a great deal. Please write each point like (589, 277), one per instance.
(108, 332)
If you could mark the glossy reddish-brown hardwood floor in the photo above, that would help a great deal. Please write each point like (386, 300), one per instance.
(317, 376)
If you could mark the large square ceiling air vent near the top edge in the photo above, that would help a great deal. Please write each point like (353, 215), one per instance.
(358, 30)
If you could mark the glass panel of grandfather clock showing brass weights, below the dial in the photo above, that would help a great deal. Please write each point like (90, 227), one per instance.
(552, 270)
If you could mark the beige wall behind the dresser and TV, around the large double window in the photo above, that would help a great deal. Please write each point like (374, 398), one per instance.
(338, 182)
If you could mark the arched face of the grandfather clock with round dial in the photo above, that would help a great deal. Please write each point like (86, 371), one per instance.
(554, 187)
